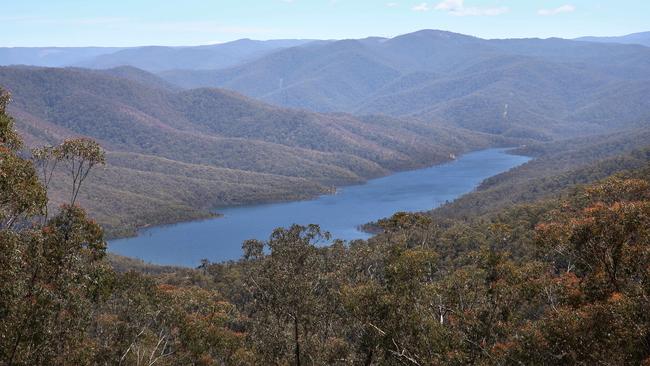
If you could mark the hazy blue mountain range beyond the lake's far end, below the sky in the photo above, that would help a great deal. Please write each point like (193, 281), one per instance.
(533, 88)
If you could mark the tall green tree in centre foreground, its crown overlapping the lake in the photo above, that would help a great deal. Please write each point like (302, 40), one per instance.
(288, 289)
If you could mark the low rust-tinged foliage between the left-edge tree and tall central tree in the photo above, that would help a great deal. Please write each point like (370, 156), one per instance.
(144, 323)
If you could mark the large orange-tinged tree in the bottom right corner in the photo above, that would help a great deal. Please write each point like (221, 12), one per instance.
(599, 243)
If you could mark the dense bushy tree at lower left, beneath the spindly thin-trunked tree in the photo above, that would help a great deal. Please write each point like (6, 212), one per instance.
(59, 276)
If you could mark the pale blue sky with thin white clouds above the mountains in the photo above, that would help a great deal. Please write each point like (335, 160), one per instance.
(193, 22)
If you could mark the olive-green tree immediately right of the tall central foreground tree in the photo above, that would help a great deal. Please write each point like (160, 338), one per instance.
(389, 293)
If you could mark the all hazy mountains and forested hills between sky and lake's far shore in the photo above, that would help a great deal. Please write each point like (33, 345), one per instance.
(327, 112)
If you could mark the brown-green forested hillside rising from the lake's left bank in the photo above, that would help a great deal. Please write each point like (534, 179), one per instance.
(173, 155)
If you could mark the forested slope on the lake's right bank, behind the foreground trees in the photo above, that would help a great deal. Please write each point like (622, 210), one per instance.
(557, 167)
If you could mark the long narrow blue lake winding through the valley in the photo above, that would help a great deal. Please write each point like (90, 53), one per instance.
(220, 239)
